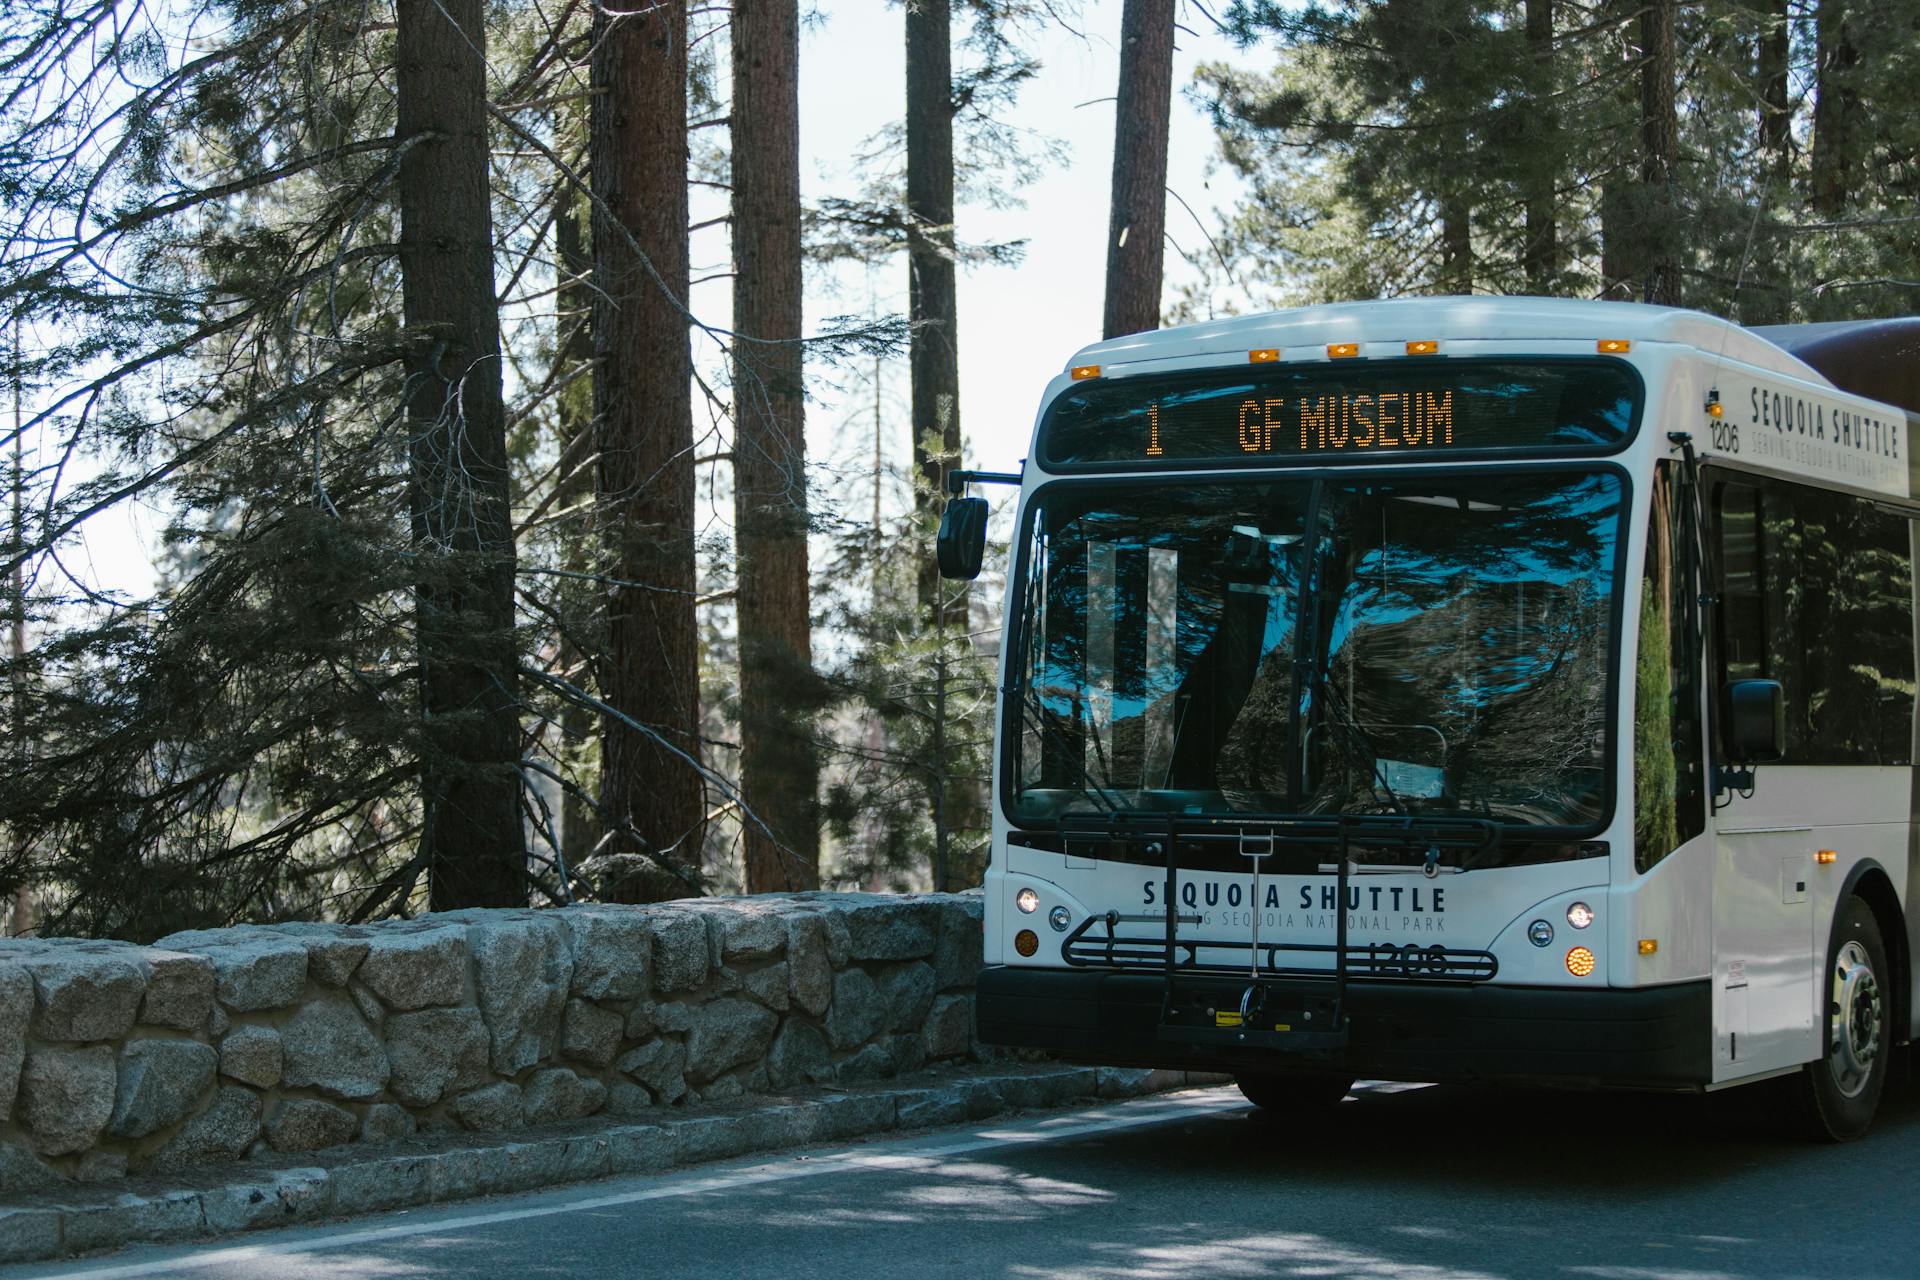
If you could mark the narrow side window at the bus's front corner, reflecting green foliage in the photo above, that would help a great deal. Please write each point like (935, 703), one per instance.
(1669, 770)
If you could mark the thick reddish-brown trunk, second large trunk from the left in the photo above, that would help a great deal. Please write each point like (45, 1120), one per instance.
(644, 414)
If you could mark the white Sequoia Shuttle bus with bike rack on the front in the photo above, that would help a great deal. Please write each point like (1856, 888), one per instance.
(1504, 690)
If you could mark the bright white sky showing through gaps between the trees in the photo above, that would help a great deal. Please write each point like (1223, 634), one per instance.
(1019, 325)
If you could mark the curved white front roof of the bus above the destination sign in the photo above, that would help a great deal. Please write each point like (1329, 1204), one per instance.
(1462, 320)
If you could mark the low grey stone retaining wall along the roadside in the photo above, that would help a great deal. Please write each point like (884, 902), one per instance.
(220, 1045)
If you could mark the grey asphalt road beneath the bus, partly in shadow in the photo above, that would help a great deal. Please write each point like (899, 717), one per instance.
(1410, 1183)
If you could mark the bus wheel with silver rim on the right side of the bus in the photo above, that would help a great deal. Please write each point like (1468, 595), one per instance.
(1840, 1093)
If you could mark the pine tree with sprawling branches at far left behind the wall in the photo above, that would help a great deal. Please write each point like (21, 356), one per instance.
(320, 686)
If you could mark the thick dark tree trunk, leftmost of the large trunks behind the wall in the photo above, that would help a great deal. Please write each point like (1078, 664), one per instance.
(458, 462)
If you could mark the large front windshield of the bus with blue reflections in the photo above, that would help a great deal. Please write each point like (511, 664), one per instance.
(1356, 646)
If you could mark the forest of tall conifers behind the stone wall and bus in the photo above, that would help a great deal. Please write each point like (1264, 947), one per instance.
(540, 473)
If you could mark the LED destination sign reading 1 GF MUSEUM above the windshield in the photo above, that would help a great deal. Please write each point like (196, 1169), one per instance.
(1355, 414)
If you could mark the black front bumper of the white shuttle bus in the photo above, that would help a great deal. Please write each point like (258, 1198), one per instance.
(1652, 1037)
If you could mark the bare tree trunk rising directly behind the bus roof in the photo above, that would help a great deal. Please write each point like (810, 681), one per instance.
(1138, 225)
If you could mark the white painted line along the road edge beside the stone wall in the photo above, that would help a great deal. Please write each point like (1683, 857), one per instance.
(757, 1175)
